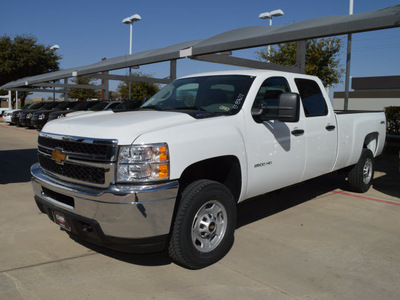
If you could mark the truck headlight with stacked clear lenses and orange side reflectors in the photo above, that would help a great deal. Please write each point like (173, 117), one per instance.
(143, 163)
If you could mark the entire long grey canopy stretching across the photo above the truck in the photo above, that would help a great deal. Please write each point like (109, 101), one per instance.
(242, 38)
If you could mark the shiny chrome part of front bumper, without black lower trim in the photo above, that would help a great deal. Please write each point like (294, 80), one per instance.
(122, 211)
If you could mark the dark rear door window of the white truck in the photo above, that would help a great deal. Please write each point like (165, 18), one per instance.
(311, 96)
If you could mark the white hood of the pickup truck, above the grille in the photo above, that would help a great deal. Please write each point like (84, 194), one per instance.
(124, 127)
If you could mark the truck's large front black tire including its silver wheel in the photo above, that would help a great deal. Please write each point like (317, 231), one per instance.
(203, 230)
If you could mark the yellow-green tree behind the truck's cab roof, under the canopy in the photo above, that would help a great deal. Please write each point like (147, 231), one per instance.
(321, 58)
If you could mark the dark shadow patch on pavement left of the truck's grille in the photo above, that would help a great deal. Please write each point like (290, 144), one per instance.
(15, 165)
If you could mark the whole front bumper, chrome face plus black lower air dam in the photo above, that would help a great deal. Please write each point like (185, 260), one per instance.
(123, 217)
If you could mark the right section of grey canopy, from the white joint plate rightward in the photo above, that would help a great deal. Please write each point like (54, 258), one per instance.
(256, 36)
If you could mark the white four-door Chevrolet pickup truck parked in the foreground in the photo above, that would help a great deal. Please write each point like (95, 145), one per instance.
(169, 175)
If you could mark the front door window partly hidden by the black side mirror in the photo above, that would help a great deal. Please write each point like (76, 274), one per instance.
(269, 93)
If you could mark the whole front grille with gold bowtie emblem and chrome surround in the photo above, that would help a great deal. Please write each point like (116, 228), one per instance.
(83, 160)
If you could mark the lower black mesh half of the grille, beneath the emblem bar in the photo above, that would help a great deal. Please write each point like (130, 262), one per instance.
(82, 173)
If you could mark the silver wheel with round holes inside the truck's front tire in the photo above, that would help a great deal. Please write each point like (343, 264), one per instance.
(209, 226)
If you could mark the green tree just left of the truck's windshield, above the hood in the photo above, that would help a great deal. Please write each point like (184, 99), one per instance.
(139, 90)
